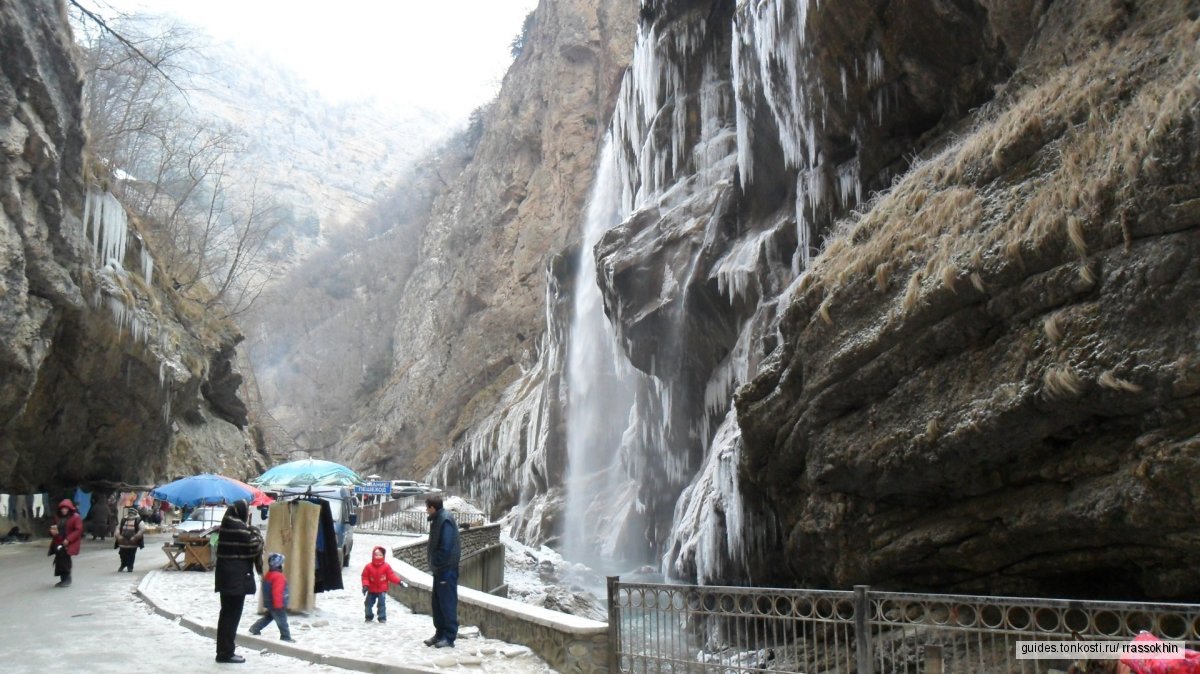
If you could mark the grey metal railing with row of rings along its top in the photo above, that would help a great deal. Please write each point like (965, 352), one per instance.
(668, 629)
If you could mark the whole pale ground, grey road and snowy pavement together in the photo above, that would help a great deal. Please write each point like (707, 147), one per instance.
(91, 625)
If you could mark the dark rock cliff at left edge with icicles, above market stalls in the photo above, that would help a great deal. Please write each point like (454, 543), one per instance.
(105, 375)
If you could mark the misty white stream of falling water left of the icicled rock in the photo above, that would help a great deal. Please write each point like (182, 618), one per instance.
(601, 388)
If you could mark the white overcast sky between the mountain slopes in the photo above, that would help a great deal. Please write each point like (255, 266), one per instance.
(448, 56)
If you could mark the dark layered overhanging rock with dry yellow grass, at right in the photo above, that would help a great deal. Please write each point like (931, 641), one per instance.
(988, 380)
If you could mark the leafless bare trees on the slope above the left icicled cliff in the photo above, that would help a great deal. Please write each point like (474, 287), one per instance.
(212, 220)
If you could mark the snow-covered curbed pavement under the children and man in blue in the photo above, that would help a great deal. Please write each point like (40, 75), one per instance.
(338, 627)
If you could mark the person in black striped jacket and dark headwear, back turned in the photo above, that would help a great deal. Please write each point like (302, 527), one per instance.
(239, 555)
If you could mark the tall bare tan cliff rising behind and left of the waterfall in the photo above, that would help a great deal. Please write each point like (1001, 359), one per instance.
(473, 311)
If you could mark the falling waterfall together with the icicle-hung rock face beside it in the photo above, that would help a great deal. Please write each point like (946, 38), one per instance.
(717, 168)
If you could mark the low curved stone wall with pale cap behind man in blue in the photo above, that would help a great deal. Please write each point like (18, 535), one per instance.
(567, 643)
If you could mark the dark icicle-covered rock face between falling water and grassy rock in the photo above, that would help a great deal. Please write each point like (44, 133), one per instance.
(743, 131)
